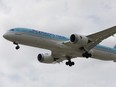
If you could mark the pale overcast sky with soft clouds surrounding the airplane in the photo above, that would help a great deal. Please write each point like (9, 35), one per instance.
(64, 17)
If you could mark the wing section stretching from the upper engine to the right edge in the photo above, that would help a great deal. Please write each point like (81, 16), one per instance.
(98, 37)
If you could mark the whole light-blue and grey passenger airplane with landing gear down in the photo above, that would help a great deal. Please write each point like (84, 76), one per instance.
(64, 48)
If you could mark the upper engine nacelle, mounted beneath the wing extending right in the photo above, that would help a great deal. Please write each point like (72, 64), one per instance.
(81, 40)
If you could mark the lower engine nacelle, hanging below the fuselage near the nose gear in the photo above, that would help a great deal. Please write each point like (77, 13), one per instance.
(45, 58)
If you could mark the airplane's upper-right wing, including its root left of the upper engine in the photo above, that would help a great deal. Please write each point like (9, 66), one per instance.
(95, 38)
